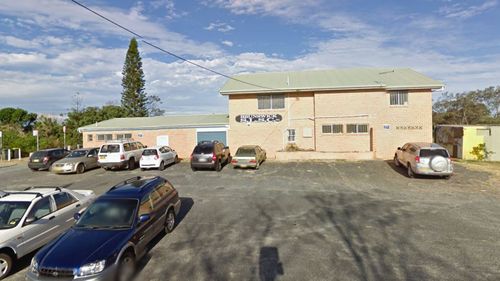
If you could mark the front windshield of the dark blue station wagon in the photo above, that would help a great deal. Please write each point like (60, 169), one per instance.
(109, 213)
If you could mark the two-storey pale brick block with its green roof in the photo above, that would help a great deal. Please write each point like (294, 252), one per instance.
(351, 113)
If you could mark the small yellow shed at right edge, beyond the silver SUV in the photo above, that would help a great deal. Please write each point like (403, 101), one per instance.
(460, 140)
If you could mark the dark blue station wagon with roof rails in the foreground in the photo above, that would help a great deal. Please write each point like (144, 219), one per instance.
(112, 234)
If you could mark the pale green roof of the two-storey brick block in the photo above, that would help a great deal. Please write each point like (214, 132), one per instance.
(324, 80)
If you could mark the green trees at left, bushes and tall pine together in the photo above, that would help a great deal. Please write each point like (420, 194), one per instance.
(17, 124)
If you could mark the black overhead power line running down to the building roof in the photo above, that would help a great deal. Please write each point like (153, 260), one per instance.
(165, 51)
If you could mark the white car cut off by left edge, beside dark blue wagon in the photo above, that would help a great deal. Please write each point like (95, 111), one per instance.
(32, 218)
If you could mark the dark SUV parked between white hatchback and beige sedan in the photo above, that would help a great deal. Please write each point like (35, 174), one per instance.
(210, 155)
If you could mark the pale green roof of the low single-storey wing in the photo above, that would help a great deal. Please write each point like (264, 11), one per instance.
(159, 122)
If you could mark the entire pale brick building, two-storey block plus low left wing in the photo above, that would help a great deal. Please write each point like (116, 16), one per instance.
(347, 113)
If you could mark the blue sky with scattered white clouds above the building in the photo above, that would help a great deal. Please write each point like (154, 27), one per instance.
(50, 50)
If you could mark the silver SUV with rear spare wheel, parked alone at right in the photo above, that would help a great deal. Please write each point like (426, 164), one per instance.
(424, 159)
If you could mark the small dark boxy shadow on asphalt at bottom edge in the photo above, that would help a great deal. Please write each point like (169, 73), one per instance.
(270, 265)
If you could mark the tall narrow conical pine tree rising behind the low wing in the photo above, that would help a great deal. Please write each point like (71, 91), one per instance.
(134, 99)
